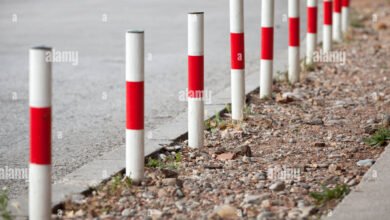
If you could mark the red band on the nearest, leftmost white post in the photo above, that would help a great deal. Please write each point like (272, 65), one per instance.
(40, 135)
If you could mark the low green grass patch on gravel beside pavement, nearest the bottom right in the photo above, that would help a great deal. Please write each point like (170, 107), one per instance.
(327, 194)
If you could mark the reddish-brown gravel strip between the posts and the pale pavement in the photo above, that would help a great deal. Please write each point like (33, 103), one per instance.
(309, 136)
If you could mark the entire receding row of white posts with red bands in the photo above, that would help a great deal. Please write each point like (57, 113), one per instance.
(41, 76)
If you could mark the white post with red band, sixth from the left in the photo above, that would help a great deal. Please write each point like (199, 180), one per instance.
(293, 49)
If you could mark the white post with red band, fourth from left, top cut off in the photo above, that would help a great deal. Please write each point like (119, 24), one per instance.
(237, 52)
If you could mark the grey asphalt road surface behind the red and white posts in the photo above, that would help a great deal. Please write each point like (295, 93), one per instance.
(89, 98)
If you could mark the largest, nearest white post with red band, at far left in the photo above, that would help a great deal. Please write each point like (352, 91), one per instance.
(40, 77)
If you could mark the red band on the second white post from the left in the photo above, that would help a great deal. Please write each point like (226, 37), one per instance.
(135, 105)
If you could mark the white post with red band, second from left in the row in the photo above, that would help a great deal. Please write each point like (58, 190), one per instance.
(135, 141)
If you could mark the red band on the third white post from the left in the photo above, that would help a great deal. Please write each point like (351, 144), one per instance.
(195, 76)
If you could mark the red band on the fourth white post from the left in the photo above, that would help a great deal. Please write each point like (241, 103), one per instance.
(237, 50)
